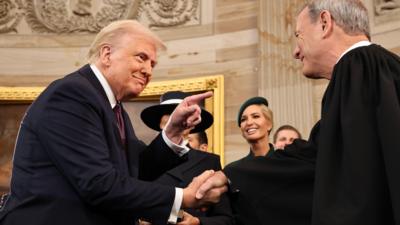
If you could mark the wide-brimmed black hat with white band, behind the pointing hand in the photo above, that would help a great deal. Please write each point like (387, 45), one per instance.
(151, 116)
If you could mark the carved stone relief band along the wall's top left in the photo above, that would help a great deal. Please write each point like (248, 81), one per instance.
(89, 16)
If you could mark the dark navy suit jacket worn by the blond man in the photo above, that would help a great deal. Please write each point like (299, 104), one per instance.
(70, 166)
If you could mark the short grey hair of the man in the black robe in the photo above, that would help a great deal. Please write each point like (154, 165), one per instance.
(350, 15)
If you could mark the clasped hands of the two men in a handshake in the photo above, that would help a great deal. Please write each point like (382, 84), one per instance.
(211, 191)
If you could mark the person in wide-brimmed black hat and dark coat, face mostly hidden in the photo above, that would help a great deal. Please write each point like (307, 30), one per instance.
(156, 117)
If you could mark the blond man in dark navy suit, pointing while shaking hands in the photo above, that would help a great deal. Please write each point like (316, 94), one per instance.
(77, 158)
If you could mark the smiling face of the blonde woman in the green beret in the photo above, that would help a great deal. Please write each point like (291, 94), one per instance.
(254, 124)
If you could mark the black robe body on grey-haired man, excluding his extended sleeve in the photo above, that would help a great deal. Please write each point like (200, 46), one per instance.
(358, 164)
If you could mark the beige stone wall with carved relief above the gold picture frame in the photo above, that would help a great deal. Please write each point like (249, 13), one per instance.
(204, 37)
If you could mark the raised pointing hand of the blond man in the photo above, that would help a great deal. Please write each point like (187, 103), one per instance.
(185, 116)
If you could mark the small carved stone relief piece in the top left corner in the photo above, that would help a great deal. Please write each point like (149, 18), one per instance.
(11, 13)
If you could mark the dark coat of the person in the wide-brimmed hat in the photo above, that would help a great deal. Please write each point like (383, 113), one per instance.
(182, 175)
